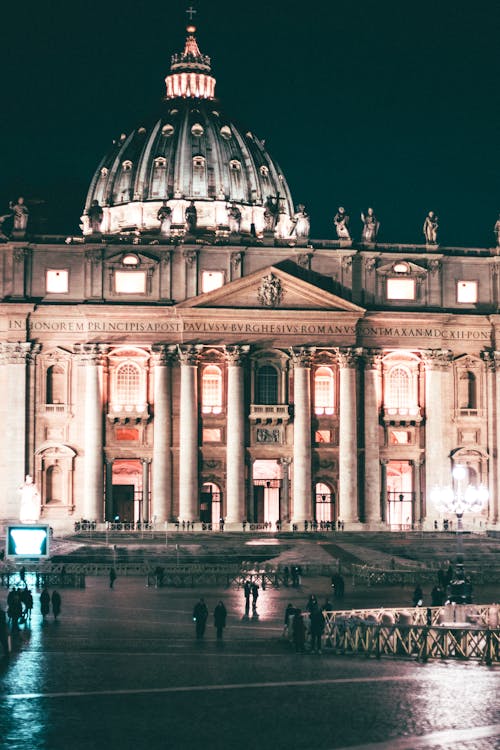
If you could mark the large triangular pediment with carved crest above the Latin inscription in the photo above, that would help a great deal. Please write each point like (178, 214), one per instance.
(272, 288)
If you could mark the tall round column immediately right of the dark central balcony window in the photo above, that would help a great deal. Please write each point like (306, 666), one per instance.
(302, 490)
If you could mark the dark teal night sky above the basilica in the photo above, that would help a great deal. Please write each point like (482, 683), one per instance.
(394, 105)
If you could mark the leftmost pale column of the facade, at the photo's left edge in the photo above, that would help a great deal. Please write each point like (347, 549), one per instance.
(14, 359)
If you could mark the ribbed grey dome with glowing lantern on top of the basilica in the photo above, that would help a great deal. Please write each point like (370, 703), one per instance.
(195, 161)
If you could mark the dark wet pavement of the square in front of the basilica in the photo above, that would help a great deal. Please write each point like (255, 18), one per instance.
(122, 669)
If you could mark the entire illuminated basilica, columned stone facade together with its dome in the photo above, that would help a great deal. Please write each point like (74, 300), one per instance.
(196, 355)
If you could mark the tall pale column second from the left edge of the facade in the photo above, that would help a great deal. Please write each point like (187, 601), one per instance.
(92, 356)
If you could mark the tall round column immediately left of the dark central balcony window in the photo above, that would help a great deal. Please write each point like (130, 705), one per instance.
(235, 437)
